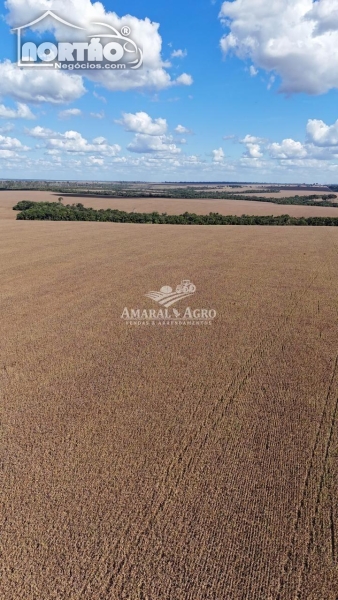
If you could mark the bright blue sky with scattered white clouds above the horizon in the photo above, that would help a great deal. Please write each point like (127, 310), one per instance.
(244, 90)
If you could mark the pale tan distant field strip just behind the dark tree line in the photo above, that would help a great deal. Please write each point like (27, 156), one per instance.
(172, 206)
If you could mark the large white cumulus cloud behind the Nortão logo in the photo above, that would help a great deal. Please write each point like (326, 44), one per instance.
(84, 13)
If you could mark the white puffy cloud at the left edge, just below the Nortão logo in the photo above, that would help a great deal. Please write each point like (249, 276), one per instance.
(28, 85)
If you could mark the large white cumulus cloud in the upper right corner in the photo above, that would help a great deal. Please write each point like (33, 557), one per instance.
(295, 39)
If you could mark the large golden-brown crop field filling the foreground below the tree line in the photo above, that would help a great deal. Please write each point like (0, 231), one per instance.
(168, 462)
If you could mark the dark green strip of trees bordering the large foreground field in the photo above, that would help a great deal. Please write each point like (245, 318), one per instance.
(56, 211)
